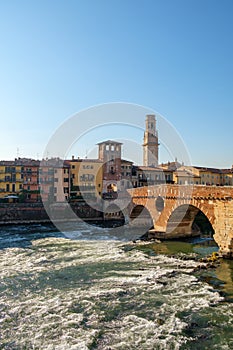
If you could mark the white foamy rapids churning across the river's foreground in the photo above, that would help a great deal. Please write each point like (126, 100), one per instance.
(68, 294)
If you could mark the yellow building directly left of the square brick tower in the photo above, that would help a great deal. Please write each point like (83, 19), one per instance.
(86, 178)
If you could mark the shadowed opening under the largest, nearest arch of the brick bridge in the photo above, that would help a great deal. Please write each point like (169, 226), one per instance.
(188, 221)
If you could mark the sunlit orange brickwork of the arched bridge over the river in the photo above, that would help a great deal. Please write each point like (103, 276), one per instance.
(173, 209)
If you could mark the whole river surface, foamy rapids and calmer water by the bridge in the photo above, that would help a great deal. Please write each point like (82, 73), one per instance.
(87, 288)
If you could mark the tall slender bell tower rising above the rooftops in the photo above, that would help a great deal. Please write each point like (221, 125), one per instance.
(150, 142)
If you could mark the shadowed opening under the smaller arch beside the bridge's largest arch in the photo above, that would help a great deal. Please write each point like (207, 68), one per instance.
(140, 216)
